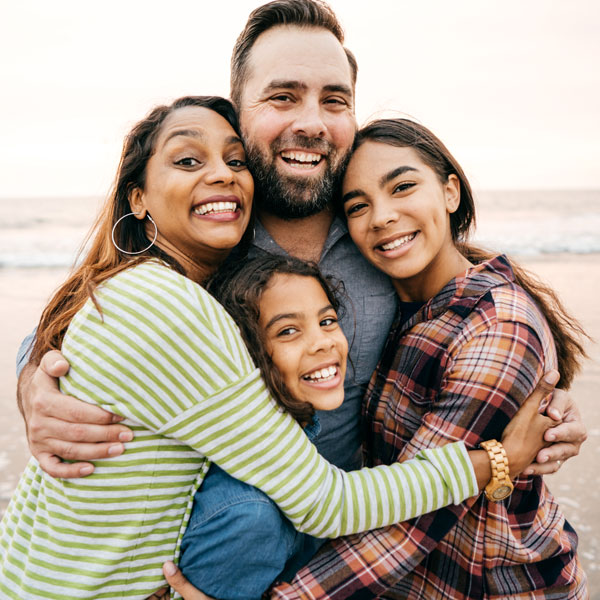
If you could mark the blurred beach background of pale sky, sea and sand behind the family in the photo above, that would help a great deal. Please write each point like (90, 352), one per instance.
(512, 88)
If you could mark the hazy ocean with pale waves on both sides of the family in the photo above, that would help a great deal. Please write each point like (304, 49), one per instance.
(47, 232)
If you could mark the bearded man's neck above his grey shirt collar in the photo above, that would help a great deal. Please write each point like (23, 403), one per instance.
(301, 238)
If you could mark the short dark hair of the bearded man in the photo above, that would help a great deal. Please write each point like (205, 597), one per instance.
(301, 13)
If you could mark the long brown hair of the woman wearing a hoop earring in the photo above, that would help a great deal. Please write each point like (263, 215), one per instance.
(102, 260)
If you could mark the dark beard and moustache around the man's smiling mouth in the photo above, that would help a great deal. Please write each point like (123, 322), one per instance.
(294, 197)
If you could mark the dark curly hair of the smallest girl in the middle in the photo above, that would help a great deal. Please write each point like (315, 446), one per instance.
(239, 289)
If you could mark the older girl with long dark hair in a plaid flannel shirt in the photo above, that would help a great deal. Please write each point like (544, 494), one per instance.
(473, 336)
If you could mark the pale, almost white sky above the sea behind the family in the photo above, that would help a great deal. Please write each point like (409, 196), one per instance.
(511, 87)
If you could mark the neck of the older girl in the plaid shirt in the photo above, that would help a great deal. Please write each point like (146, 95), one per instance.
(430, 281)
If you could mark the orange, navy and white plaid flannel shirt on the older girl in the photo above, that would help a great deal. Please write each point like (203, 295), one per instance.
(458, 369)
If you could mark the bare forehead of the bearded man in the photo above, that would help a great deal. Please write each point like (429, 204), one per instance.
(311, 55)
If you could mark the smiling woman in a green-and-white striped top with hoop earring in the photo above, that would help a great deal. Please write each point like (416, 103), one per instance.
(145, 339)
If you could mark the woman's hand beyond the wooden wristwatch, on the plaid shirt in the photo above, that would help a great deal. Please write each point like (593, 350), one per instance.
(523, 437)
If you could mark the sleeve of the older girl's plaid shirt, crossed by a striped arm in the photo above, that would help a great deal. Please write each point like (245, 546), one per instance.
(486, 379)
